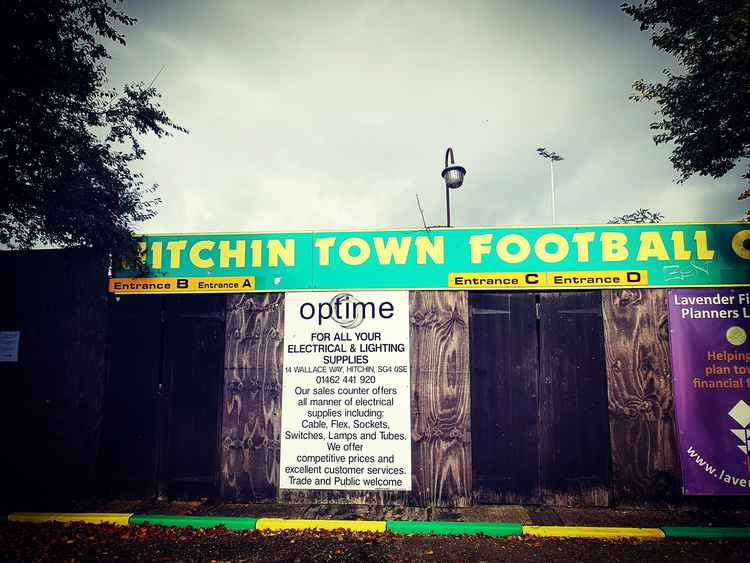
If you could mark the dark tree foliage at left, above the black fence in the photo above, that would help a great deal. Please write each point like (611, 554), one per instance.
(67, 139)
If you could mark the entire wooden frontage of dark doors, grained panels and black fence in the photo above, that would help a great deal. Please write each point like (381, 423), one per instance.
(560, 398)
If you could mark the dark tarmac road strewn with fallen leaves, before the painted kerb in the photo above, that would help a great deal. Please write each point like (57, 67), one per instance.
(89, 542)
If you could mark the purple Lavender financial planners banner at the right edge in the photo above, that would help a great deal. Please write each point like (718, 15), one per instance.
(709, 331)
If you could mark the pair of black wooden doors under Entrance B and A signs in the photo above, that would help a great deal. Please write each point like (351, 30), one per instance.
(160, 431)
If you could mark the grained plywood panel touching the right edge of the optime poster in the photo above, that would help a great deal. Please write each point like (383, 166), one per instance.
(441, 398)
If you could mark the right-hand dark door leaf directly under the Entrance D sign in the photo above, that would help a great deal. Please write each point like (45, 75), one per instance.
(574, 431)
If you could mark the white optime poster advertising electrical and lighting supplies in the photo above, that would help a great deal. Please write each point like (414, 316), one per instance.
(345, 417)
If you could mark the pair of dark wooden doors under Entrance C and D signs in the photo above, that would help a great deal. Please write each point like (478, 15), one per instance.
(540, 429)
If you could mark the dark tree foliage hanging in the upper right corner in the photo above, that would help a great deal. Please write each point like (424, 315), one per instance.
(704, 108)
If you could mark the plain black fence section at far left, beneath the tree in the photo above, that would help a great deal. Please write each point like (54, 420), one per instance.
(50, 405)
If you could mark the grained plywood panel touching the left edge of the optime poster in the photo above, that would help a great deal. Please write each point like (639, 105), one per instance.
(251, 409)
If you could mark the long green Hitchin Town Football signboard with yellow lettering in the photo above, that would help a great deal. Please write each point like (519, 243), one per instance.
(523, 258)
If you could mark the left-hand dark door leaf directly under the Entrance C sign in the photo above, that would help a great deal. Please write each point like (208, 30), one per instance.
(504, 380)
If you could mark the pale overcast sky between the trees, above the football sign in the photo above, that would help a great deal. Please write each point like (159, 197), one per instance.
(333, 115)
